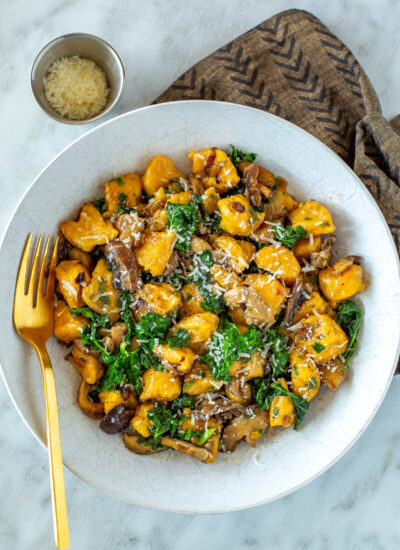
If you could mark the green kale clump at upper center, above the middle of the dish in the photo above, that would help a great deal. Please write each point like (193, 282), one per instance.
(183, 218)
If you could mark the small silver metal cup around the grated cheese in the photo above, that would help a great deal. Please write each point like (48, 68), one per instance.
(84, 45)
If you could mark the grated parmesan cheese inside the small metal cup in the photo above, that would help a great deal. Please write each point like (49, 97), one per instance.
(76, 88)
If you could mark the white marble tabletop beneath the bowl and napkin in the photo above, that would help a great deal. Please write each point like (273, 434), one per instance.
(353, 506)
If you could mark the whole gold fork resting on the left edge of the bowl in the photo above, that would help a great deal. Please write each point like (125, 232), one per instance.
(34, 320)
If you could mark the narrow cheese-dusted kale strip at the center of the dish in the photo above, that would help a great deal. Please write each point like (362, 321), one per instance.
(200, 276)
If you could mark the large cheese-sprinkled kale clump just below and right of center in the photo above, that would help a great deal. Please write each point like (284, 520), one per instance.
(226, 346)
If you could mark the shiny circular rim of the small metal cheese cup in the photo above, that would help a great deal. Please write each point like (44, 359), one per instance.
(93, 38)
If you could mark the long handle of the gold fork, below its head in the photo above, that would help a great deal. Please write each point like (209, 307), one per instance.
(59, 505)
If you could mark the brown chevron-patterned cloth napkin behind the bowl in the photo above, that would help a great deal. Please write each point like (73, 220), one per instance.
(292, 66)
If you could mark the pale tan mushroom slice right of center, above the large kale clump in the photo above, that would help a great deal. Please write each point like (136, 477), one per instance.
(256, 311)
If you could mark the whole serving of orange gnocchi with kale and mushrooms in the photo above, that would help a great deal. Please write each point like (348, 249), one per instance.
(203, 308)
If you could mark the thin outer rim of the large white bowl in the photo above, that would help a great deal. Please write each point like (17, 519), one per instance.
(338, 456)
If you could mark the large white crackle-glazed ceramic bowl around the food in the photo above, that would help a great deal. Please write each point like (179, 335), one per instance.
(283, 461)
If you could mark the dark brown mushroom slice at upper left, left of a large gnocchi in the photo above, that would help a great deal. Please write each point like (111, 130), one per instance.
(124, 265)
